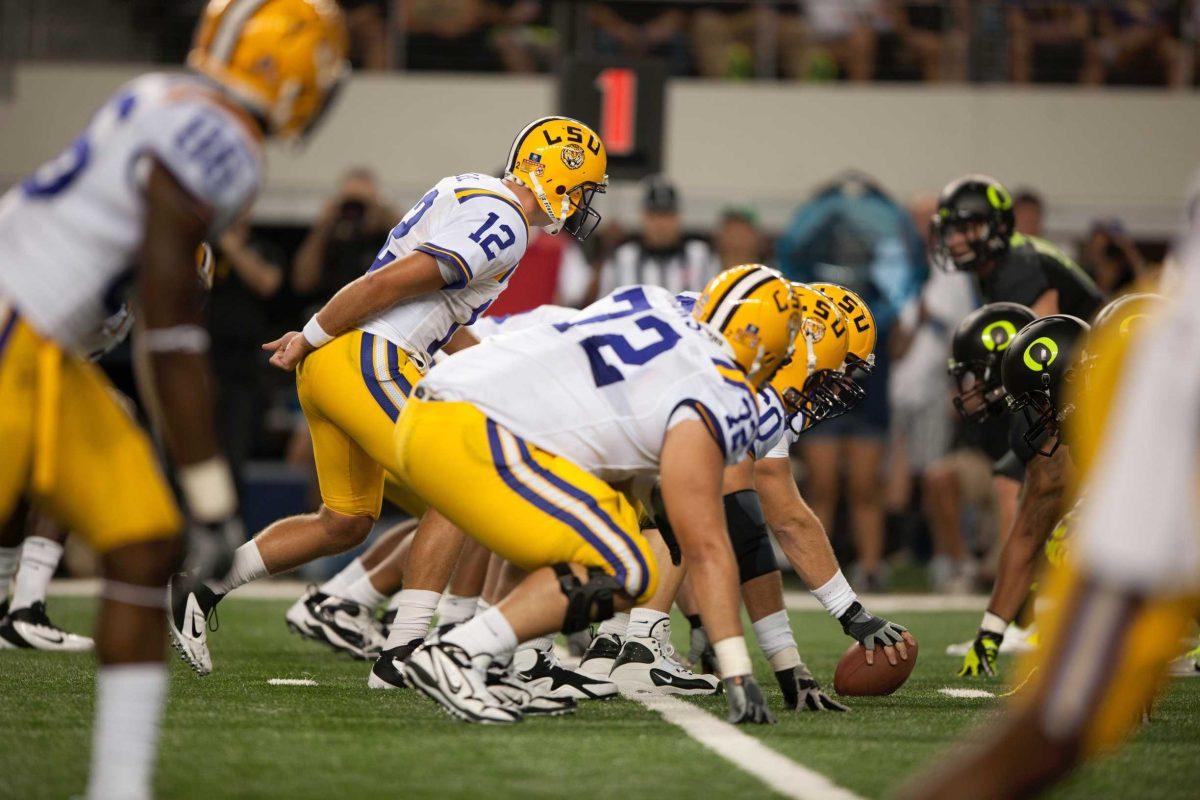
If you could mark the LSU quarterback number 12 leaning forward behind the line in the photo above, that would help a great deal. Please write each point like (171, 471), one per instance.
(361, 356)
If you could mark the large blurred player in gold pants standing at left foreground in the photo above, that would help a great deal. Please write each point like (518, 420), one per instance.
(169, 161)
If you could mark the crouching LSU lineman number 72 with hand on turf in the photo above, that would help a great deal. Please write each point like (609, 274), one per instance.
(547, 424)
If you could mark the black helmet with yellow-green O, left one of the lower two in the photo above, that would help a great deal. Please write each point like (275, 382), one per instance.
(979, 345)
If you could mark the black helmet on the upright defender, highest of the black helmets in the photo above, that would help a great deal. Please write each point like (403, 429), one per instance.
(982, 209)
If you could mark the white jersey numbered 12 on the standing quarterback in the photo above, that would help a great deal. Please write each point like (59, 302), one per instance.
(476, 228)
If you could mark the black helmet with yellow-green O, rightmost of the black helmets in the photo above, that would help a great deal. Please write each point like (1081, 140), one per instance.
(1036, 369)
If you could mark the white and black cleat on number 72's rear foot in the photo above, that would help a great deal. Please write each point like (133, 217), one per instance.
(445, 673)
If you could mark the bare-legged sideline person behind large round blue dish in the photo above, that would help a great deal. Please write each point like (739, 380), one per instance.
(854, 234)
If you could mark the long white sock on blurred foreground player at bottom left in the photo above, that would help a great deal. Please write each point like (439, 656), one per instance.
(125, 733)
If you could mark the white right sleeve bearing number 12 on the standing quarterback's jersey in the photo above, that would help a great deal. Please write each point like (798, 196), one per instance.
(483, 239)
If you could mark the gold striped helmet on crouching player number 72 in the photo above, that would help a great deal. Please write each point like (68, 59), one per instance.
(755, 310)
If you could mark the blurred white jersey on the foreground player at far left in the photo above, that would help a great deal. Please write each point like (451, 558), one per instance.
(70, 232)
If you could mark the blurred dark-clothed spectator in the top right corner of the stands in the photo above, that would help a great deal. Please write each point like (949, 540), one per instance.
(1138, 44)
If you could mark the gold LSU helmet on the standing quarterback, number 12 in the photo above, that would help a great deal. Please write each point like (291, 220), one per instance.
(565, 164)
